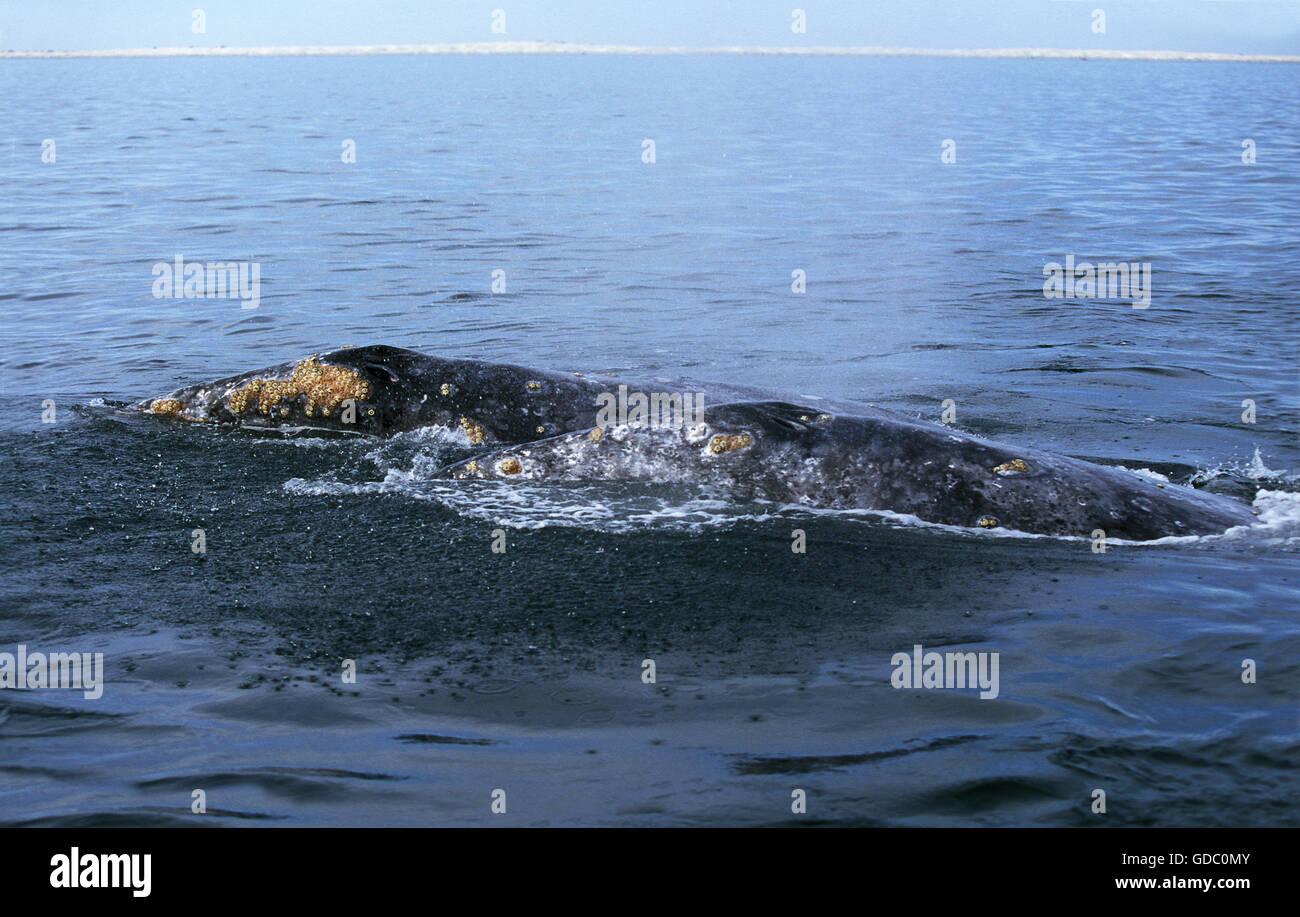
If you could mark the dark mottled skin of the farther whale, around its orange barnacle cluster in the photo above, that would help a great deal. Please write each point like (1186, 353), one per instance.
(512, 404)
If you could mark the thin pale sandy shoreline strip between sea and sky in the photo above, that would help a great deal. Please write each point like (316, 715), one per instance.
(578, 49)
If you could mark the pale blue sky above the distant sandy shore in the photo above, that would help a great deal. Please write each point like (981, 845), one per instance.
(1246, 27)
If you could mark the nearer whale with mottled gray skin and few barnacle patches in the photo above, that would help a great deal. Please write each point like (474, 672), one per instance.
(876, 462)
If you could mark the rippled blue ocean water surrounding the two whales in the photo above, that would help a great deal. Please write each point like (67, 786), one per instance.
(523, 672)
